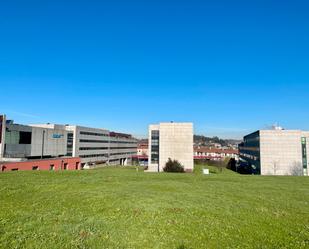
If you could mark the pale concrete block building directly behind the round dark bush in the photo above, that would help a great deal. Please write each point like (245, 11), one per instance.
(170, 140)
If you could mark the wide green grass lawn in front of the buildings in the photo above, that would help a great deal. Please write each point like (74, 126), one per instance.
(122, 208)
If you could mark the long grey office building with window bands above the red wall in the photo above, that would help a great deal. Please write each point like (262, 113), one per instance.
(91, 145)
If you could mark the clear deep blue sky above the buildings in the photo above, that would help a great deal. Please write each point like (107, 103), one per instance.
(231, 67)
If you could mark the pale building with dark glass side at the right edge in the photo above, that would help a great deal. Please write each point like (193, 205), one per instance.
(276, 152)
